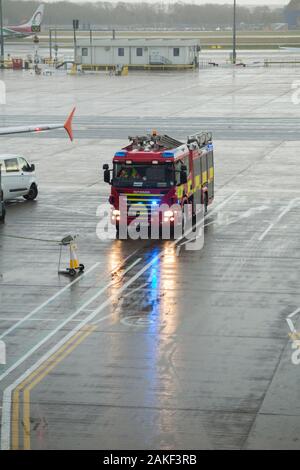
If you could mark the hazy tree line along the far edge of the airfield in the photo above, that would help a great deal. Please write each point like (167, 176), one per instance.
(158, 15)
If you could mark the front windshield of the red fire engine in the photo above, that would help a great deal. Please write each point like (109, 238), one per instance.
(143, 175)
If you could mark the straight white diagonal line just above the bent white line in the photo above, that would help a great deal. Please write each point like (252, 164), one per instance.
(62, 324)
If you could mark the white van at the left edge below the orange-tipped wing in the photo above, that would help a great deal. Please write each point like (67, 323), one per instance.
(17, 178)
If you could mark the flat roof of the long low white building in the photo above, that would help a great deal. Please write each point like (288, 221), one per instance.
(142, 42)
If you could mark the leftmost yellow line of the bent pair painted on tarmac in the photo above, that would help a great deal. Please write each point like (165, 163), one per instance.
(62, 352)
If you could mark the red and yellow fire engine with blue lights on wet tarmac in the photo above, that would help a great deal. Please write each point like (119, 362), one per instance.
(156, 170)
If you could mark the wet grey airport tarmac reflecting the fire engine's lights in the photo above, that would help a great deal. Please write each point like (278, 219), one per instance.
(153, 347)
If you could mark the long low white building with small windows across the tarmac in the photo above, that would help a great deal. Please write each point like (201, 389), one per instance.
(138, 53)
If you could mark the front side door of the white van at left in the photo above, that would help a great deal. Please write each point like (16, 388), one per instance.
(11, 180)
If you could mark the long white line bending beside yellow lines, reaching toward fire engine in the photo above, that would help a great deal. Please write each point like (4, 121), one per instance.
(6, 420)
